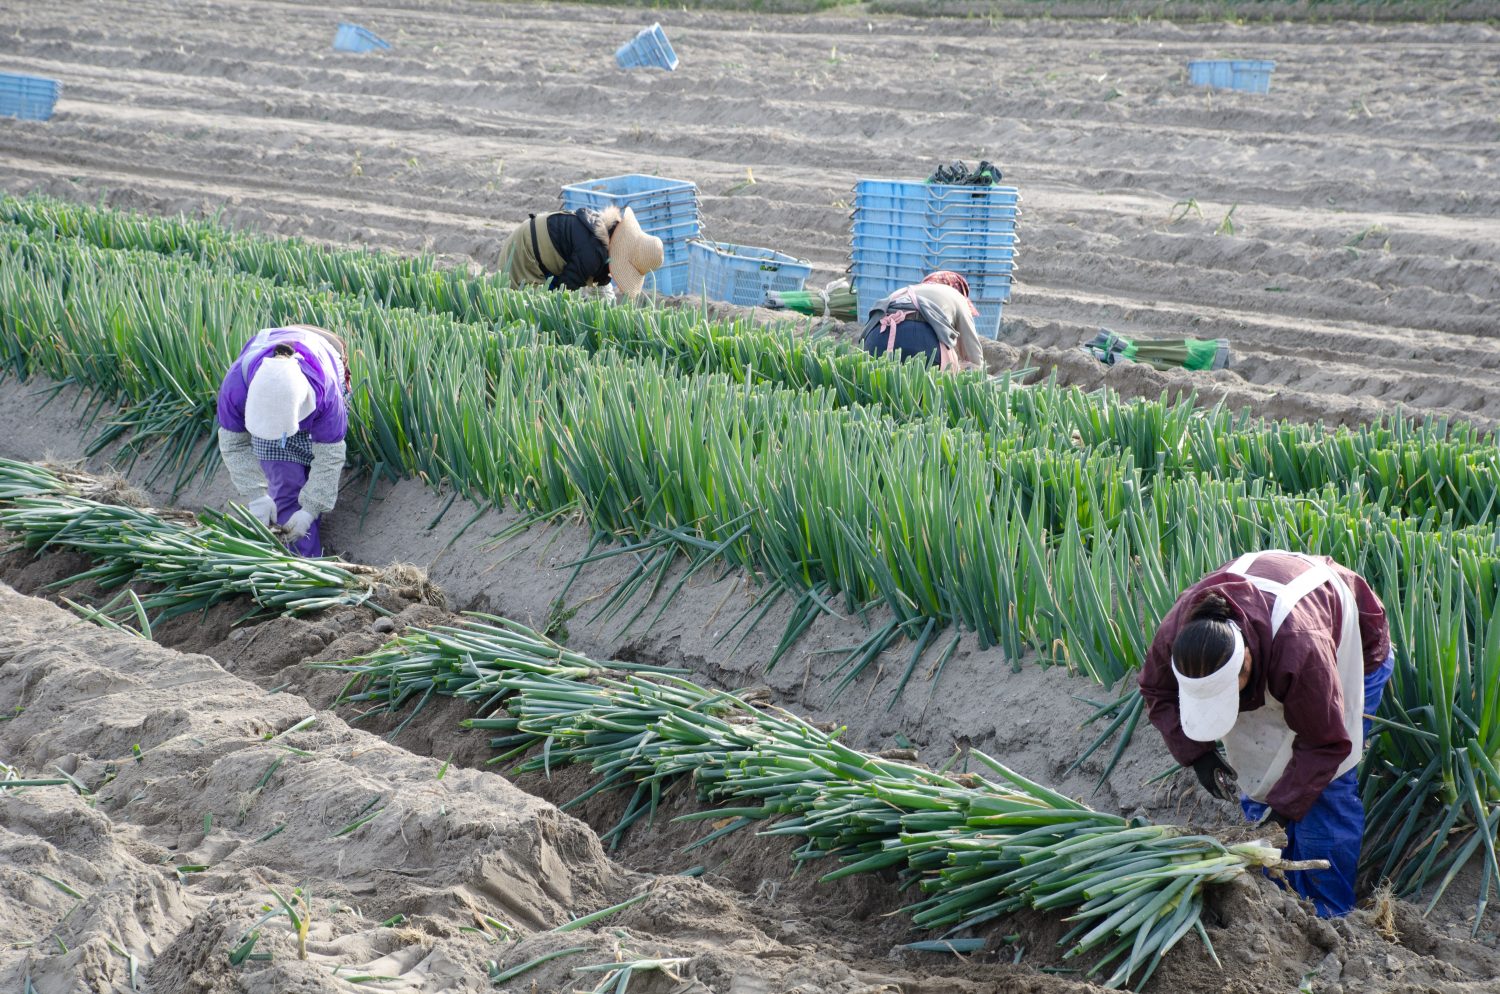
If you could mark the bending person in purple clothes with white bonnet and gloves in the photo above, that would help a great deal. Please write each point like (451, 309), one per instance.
(283, 418)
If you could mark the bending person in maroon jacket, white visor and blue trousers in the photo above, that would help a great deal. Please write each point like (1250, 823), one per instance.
(1279, 656)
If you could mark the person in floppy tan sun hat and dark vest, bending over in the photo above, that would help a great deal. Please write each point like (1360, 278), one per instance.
(583, 248)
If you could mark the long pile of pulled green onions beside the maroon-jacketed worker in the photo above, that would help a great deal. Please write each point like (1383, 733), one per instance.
(979, 848)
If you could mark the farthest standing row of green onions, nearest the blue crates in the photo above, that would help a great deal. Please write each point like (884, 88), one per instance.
(1403, 467)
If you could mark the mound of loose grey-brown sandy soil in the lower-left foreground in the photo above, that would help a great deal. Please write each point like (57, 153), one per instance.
(209, 797)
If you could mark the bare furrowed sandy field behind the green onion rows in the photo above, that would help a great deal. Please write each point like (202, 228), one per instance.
(1363, 271)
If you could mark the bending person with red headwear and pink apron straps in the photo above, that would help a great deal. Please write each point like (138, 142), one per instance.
(934, 320)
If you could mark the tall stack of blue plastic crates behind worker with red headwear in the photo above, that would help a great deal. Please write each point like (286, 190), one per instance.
(904, 232)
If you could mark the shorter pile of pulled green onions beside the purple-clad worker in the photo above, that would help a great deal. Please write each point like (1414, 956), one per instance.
(191, 564)
